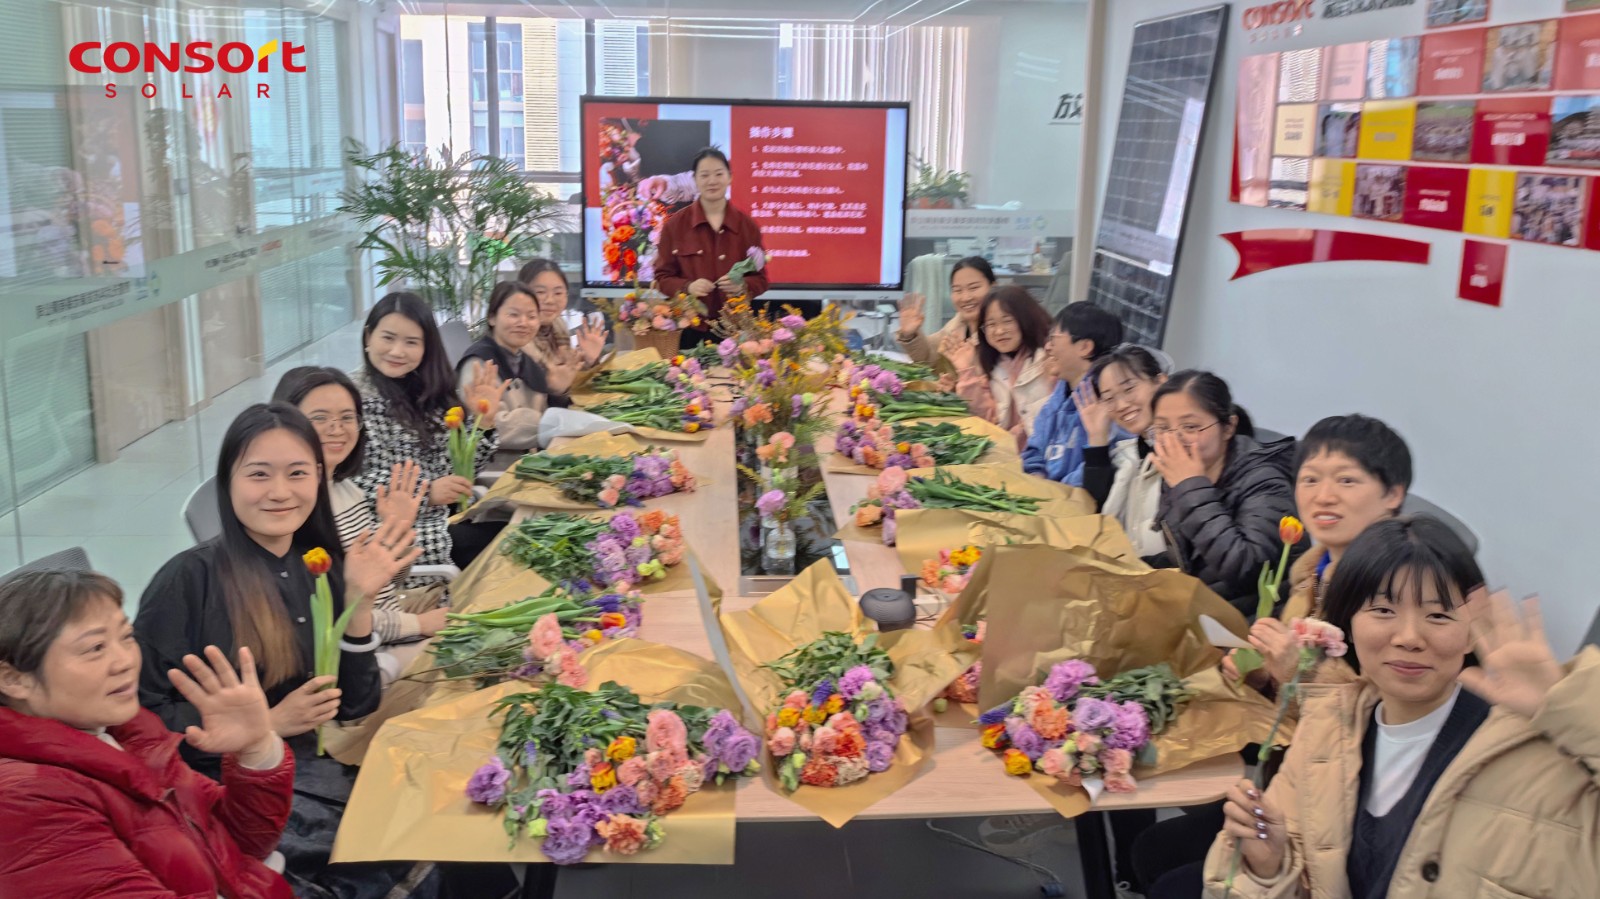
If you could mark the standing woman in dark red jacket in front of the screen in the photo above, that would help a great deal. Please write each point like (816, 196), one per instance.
(702, 242)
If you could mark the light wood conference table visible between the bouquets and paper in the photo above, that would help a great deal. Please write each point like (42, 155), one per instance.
(964, 780)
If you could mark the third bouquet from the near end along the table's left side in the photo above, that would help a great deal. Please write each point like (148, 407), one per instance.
(582, 553)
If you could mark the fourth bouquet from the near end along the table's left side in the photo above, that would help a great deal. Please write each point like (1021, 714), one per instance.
(609, 481)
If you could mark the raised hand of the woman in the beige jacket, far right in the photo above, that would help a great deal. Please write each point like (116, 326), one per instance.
(1518, 668)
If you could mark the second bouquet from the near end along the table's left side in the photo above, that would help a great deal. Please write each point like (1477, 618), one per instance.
(518, 641)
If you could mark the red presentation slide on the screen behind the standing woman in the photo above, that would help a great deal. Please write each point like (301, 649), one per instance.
(823, 182)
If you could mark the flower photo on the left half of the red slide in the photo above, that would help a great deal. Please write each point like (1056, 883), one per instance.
(644, 178)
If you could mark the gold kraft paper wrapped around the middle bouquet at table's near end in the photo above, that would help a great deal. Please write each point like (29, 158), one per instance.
(817, 602)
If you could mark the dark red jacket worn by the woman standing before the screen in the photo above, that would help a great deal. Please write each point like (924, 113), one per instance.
(690, 250)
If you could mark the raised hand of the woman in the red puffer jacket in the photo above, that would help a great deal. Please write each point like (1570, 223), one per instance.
(234, 717)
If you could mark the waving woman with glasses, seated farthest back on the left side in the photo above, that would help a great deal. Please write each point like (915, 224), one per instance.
(551, 345)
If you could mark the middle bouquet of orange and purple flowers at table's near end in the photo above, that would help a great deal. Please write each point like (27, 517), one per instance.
(839, 722)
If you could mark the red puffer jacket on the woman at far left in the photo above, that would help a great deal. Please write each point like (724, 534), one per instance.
(81, 818)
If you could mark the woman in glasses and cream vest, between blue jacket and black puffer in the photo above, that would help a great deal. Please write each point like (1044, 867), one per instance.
(1122, 477)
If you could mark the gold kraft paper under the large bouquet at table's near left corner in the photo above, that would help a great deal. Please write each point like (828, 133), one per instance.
(409, 802)
